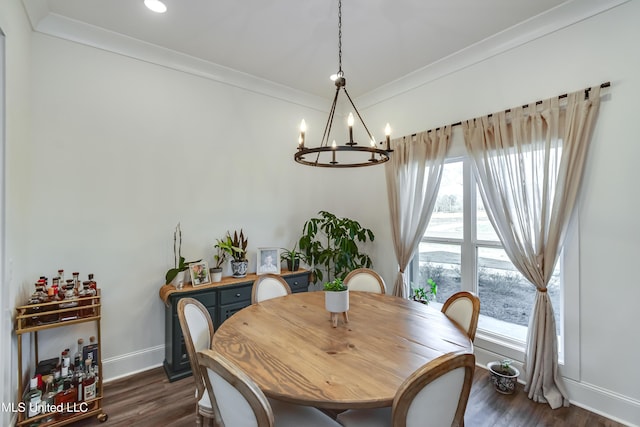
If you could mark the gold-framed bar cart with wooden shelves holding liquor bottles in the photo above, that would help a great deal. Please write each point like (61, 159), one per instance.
(37, 317)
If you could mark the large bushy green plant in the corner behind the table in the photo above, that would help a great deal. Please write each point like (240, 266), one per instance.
(330, 245)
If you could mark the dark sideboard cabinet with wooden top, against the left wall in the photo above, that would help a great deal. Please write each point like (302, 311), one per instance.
(222, 300)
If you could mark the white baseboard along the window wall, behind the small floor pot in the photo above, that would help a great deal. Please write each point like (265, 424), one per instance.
(607, 403)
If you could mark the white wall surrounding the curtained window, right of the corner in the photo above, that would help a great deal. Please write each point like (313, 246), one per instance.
(599, 49)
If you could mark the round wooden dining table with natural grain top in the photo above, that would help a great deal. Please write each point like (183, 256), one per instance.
(288, 346)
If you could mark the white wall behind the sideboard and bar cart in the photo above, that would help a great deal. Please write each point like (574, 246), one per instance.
(124, 149)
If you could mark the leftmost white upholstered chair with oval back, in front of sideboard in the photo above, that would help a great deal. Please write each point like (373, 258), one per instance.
(197, 330)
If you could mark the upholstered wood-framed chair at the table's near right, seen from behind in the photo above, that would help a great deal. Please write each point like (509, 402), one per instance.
(434, 395)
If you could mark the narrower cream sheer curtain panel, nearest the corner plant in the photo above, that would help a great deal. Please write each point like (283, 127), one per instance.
(413, 177)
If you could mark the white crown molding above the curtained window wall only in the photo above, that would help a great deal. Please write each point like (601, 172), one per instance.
(548, 22)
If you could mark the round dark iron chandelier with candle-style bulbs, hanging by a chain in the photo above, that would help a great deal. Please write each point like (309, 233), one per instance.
(351, 154)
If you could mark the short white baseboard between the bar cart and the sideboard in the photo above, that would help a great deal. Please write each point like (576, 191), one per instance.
(132, 363)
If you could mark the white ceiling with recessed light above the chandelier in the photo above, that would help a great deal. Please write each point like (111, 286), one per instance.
(294, 42)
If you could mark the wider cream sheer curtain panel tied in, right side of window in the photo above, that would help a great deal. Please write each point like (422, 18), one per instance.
(529, 164)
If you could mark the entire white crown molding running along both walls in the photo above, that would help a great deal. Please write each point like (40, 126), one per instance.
(565, 15)
